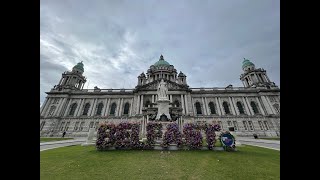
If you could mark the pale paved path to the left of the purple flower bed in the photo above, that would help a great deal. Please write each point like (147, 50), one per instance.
(55, 144)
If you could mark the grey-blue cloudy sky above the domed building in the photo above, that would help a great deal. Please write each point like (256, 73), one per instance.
(119, 39)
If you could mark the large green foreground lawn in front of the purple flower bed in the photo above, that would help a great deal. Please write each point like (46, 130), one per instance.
(85, 162)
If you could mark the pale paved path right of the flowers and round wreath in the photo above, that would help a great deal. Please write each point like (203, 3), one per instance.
(270, 144)
